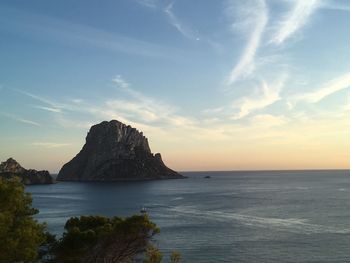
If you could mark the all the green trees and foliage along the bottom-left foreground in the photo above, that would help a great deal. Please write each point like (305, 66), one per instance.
(87, 239)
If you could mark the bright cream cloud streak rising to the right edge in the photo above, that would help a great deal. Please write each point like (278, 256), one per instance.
(333, 86)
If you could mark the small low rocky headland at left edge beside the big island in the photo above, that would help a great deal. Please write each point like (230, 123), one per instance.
(12, 168)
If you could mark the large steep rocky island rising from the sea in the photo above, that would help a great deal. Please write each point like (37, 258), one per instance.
(114, 151)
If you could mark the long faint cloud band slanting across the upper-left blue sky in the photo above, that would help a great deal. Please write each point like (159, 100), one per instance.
(47, 28)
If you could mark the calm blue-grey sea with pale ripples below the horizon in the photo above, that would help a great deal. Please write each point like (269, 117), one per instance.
(278, 216)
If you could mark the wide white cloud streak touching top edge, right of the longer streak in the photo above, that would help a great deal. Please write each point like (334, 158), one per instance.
(294, 20)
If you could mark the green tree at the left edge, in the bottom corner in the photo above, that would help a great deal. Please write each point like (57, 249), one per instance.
(20, 234)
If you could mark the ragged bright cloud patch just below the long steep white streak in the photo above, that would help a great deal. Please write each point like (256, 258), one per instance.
(266, 95)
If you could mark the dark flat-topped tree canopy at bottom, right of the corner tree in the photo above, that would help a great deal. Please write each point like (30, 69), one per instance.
(101, 239)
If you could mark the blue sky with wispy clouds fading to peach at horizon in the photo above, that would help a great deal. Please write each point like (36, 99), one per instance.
(214, 85)
